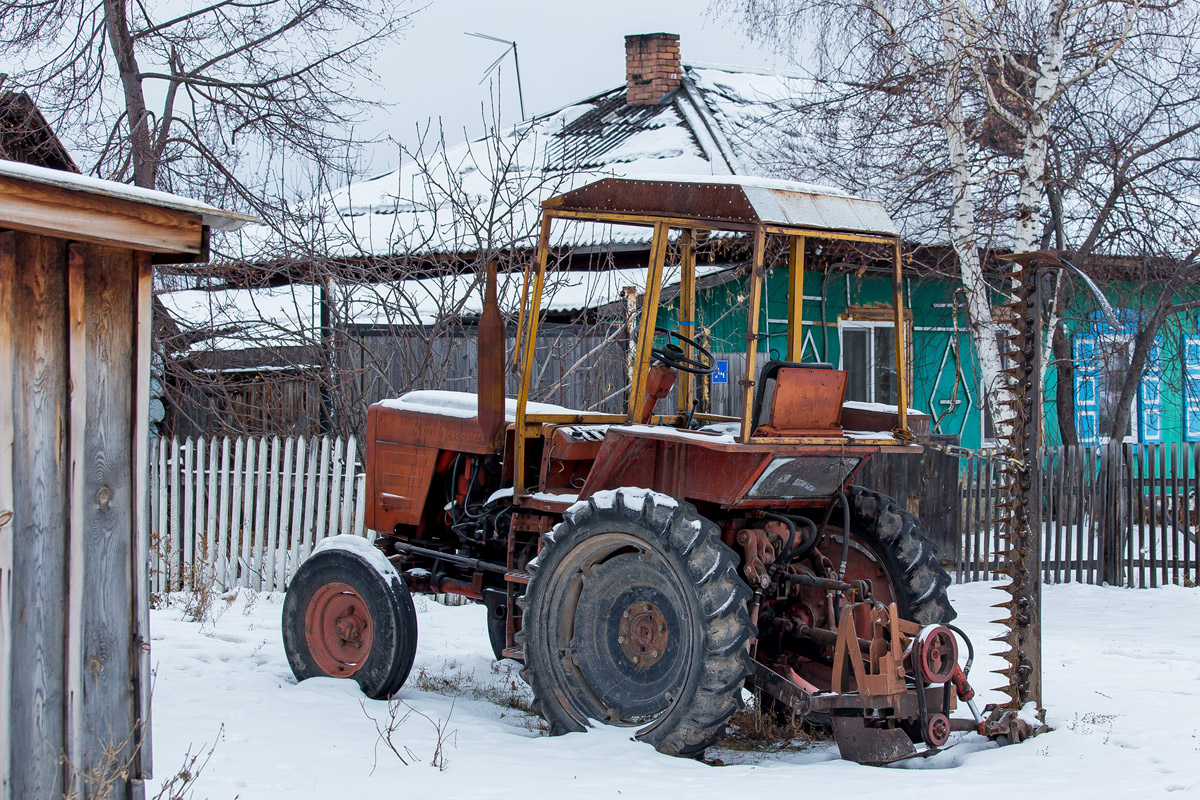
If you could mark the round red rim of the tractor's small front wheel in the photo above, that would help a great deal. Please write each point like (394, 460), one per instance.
(339, 630)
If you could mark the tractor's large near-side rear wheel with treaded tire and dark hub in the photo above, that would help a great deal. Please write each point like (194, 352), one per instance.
(635, 616)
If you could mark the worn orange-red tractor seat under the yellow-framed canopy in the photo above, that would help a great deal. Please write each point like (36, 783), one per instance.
(806, 400)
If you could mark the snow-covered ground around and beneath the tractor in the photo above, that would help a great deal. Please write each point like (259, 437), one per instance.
(1123, 687)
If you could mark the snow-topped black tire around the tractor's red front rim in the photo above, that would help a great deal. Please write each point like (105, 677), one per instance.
(350, 563)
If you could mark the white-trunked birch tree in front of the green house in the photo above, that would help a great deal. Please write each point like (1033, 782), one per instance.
(952, 103)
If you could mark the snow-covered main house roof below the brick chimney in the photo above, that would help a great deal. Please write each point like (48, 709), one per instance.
(487, 194)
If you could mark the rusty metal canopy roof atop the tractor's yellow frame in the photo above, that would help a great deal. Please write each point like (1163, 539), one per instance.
(727, 202)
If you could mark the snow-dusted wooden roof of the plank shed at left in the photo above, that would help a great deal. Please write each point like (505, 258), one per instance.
(81, 208)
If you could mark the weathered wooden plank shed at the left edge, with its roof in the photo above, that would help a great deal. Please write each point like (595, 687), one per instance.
(76, 266)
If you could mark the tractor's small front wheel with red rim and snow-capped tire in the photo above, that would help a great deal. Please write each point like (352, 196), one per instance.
(349, 615)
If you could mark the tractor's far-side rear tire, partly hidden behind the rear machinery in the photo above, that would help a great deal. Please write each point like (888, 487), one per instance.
(919, 580)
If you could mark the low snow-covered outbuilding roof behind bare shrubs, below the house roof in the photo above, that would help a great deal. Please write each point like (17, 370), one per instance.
(289, 316)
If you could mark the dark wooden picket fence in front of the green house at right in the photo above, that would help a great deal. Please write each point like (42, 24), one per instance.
(1124, 515)
